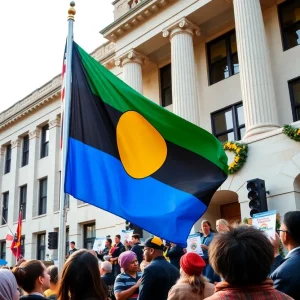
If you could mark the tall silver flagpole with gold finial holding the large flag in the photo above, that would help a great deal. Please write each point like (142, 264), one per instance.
(65, 138)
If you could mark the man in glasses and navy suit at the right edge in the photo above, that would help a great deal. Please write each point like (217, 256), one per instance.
(287, 276)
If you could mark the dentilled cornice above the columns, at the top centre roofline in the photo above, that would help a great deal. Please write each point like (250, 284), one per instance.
(133, 18)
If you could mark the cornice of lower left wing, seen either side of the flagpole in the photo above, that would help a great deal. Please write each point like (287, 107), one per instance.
(47, 93)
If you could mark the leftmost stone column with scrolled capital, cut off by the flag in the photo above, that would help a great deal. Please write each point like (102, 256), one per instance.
(132, 63)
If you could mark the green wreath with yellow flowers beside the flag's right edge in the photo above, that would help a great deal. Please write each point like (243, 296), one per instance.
(241, 152)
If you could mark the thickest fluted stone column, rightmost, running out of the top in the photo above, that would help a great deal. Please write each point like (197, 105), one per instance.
(255, 68)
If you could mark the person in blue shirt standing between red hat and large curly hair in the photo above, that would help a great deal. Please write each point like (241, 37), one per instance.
(206, 239)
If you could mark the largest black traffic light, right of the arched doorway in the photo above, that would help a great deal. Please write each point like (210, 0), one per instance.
(257, 196)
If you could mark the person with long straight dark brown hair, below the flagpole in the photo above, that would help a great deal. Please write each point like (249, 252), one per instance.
(80, 278)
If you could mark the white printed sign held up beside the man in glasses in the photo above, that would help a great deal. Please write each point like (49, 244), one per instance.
(266, 222)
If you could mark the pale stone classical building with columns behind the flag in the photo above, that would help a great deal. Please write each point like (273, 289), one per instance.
(229, 66)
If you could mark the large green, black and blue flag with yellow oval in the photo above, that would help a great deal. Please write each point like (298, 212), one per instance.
(135, 159)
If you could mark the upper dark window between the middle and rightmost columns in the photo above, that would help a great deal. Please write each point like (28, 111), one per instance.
(222, 57)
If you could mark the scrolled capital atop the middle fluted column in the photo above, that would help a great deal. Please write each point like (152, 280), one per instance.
(181, 26)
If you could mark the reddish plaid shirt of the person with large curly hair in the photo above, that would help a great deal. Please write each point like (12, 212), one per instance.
(263, 291)
